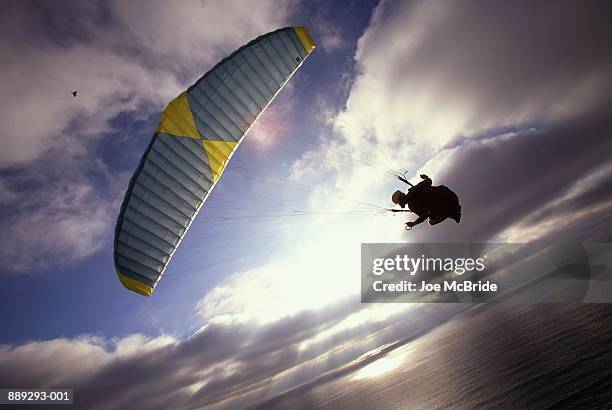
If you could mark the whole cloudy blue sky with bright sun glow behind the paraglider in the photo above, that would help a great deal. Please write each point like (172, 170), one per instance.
(508, 103)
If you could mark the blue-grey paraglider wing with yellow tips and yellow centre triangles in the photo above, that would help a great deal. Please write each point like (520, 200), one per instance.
(195, 138)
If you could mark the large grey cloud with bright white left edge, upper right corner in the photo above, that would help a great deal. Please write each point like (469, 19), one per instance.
(433, 71)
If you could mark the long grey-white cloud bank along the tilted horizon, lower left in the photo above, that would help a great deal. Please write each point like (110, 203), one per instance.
(221, 365)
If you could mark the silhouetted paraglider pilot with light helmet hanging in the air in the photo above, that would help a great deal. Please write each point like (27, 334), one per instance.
(434, 202)
